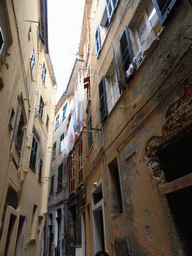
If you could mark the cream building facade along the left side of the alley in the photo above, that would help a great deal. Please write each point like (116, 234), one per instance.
(27, 99)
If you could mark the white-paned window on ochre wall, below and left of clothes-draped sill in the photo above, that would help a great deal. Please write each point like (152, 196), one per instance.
(112, 87)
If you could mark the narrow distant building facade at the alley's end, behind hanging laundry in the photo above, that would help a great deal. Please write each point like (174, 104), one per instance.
(57, 238)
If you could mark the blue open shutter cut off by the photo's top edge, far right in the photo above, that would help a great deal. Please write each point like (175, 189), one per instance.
(163, 8)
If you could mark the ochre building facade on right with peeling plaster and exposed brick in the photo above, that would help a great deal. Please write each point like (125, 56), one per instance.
(129, 175)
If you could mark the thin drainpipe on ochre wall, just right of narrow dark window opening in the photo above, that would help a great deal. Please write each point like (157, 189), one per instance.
(123, 202)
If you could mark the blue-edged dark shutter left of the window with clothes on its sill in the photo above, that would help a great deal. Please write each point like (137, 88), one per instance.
(126, 50)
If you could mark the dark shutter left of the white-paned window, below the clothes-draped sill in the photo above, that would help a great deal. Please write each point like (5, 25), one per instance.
(103, 100)
